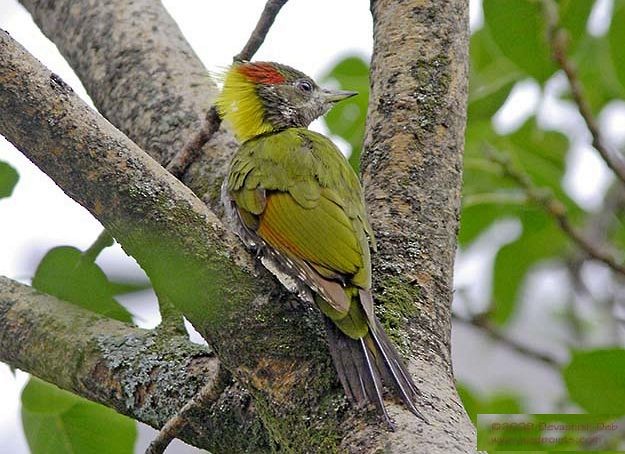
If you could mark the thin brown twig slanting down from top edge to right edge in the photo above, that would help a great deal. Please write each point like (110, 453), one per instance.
(558, 38)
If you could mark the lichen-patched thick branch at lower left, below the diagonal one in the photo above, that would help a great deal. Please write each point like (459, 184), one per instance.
(138, 372)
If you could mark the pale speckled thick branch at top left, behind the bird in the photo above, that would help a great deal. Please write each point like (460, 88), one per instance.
(143, 77)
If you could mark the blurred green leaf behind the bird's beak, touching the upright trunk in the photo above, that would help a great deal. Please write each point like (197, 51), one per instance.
(347, 118)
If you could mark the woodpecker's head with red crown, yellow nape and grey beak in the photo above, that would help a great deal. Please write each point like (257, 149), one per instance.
(261, 97)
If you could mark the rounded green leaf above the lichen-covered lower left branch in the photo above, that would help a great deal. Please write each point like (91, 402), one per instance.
(67, 274)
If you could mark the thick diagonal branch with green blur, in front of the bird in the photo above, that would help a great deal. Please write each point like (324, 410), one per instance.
(272, 345)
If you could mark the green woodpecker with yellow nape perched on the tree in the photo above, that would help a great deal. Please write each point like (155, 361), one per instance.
(293, 198)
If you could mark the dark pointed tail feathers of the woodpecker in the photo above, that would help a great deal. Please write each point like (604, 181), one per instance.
(364, 364)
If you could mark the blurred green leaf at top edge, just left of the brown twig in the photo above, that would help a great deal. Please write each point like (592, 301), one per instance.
(518, 28)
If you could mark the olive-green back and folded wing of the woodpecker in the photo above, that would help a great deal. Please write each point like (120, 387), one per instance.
(299, 194)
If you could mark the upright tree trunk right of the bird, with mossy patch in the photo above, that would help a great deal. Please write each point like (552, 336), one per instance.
(412, 176)
